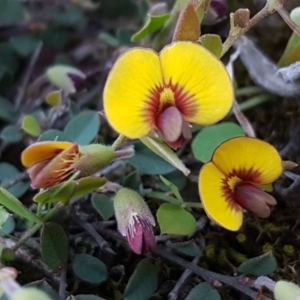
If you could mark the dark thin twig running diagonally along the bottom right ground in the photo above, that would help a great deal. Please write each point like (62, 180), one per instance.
(209, 276)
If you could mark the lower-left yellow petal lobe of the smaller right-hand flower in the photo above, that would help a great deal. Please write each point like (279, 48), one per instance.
(219, 208)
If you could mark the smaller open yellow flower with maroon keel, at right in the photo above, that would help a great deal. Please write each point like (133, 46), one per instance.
(232, 181)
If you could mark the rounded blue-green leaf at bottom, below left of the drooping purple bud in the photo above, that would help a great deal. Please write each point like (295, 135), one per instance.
(89, 269)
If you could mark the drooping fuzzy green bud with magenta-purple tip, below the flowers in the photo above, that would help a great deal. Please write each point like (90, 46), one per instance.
(135, 220)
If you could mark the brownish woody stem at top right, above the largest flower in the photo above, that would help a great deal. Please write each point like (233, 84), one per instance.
(232, 38)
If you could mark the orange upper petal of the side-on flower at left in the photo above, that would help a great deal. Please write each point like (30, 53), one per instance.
(40, 151)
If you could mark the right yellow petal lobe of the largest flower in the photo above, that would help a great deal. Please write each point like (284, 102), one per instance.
(207, 93)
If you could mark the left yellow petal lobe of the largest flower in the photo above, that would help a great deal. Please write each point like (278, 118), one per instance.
(128, 91)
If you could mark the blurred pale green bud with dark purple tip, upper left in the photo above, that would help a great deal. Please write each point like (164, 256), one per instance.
(69, 79)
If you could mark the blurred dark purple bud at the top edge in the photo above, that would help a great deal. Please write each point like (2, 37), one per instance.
(217, 12)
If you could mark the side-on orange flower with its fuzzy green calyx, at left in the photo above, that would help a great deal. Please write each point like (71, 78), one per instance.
(51, 163)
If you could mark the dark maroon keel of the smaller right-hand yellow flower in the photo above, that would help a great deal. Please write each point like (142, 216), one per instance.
(254, 199)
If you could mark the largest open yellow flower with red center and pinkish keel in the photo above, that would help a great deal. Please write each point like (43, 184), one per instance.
(183, 84)
